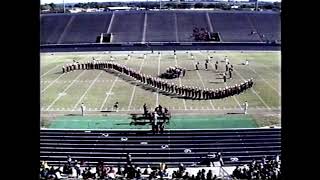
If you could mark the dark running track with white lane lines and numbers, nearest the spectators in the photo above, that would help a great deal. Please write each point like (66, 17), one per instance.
(92, 146)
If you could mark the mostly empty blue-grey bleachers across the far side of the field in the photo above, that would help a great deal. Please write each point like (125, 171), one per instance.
(161, 26)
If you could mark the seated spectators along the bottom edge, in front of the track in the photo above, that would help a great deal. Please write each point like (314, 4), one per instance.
(264, 170)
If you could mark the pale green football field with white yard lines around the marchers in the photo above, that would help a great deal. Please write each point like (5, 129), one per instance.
(99, 90)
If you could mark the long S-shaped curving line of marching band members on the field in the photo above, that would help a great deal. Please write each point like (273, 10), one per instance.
(170, 88)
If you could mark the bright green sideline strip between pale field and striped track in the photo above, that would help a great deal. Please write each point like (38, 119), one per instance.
(176, 122)
